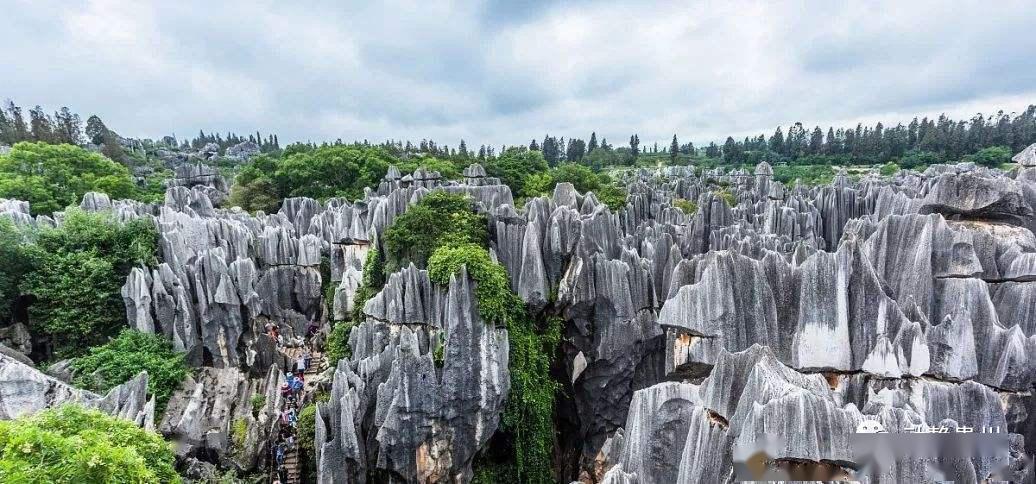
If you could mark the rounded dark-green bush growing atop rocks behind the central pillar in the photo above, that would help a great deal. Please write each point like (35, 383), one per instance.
(437, 220)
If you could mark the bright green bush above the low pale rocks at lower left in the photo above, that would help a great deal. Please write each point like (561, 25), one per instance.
(121, 360)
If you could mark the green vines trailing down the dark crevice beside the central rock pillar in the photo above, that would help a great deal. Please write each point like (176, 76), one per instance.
(530, 410)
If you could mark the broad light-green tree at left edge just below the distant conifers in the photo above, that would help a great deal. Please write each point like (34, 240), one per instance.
(51, 178)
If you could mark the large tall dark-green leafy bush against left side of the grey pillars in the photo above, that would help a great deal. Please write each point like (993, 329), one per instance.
(77, 275)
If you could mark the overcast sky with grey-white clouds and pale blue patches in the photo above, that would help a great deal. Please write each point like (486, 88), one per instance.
(509, 72)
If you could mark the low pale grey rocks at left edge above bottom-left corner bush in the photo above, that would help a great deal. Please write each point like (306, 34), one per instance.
(25, 390)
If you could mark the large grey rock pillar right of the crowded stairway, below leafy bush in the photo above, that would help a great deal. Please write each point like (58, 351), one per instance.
(397, 414)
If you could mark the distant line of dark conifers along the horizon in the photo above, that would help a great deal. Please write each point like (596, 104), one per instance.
(926, 140)
